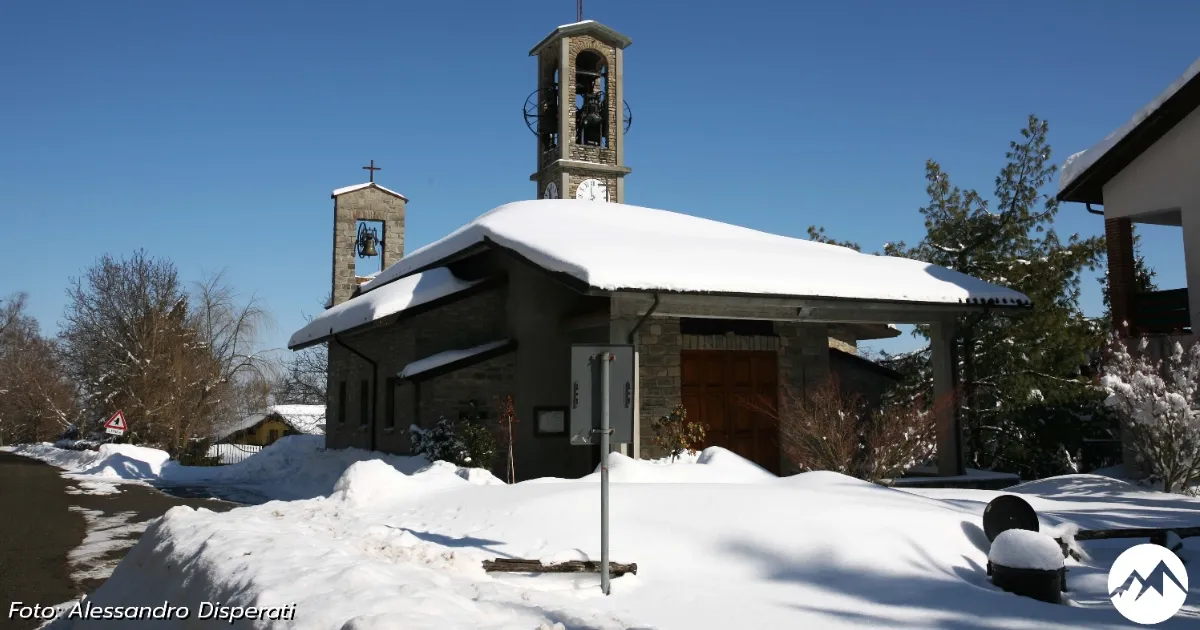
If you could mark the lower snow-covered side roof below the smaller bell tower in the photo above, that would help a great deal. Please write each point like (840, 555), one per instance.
(392, 299)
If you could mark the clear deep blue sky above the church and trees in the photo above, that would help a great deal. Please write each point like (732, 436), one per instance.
(213, 133)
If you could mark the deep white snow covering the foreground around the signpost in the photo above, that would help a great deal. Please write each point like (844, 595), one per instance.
(719, 544)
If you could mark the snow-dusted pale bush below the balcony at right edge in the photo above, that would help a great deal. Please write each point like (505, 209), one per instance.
(1159, 405)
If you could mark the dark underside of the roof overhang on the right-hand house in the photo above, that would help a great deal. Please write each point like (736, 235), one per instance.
(1089, 185)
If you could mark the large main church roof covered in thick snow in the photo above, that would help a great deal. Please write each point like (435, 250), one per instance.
(626, 248)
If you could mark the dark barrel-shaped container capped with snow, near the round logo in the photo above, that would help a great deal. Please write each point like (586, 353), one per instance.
(1029, 563)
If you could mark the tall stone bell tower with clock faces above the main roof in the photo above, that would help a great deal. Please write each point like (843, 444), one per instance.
(579, 113)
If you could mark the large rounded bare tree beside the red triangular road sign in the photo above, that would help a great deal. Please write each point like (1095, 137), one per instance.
(136, 340)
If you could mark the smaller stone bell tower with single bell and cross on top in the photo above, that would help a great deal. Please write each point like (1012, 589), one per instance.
(369, 227)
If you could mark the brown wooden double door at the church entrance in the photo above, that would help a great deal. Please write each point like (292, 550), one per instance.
(729, 391)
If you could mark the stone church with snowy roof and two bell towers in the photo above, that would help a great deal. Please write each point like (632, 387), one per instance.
(716, 313)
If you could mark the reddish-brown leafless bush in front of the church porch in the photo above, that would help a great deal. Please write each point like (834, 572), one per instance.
(827, 429)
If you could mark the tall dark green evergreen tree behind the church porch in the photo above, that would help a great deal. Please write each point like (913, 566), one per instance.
(1027, 401)
